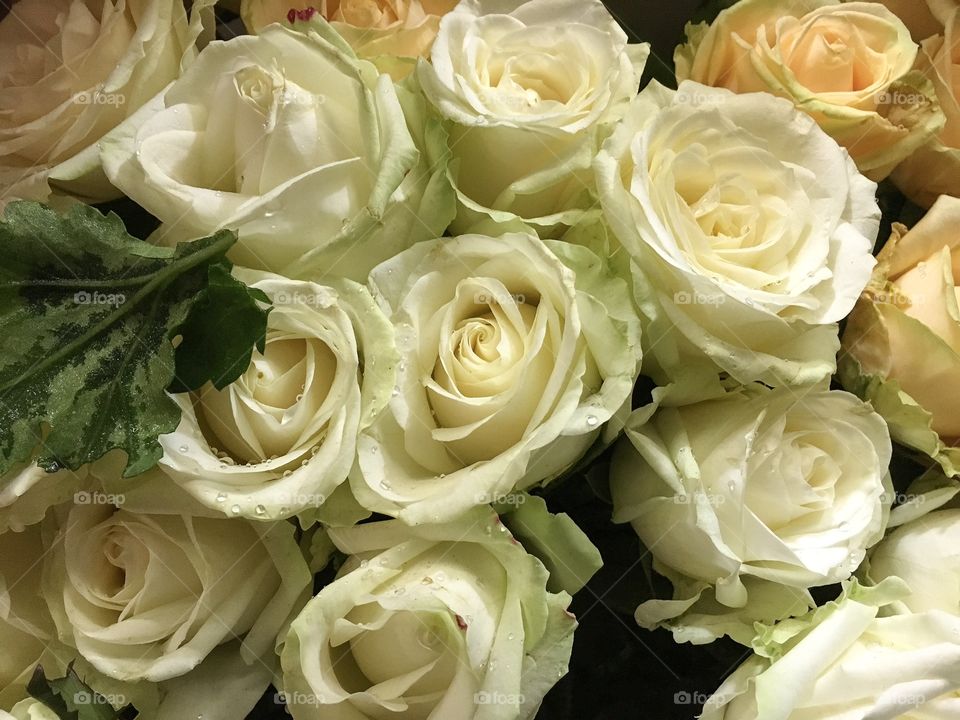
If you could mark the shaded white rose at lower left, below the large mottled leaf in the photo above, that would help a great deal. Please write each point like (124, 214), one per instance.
(149, 596)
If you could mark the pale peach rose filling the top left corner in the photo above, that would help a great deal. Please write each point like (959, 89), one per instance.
(70, 72)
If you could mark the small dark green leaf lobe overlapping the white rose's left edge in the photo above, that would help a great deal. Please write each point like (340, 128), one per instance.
(220, 332)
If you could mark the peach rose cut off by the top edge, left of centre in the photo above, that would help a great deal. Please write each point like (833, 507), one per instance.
(382, 30)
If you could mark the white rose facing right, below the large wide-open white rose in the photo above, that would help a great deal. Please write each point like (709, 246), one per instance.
(739, 495)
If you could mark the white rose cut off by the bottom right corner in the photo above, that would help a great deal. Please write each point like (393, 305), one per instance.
(843, 662)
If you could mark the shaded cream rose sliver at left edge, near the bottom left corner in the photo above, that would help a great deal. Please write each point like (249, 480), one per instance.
(27, 632)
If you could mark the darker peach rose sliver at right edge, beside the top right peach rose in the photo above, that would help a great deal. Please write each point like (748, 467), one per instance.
(934, 169)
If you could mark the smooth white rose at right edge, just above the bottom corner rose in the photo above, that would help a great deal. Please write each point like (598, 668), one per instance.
(925, 554)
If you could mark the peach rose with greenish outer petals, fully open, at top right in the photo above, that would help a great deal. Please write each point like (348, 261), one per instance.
(849, 65)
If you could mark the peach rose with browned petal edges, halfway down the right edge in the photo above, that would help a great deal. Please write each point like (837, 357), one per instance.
(901, 348)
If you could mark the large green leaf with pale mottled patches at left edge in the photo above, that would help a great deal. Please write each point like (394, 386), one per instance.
(89, 315)
